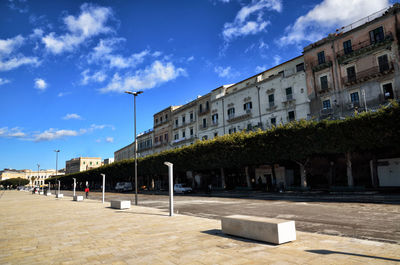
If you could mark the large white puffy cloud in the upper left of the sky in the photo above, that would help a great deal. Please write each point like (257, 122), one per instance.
(90, 22)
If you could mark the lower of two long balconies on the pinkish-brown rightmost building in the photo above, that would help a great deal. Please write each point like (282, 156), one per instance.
(371, 73)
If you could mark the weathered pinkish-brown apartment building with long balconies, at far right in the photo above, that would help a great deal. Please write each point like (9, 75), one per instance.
(356, 68)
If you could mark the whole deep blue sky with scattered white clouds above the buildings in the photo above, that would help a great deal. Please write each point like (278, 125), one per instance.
(64, 65)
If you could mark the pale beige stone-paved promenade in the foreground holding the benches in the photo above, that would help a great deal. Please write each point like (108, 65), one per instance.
(37, 229)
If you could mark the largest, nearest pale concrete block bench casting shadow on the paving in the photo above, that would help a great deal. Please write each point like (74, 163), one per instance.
(270, 230)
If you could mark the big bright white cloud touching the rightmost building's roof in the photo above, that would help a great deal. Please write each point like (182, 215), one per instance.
(326, 15)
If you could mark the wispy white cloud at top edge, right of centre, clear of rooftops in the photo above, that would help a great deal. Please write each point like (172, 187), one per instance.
(242, 25)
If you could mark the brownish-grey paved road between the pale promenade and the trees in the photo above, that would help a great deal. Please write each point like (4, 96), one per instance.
(373, 221)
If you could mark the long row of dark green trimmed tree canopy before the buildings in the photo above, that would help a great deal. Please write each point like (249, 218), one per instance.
(373, 132)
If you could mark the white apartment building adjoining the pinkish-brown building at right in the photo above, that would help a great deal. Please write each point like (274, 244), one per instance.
(276, 96)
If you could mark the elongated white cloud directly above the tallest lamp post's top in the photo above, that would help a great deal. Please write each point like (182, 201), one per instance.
(152, 76)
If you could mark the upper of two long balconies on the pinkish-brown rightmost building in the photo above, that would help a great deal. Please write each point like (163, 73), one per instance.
(363, 48)
